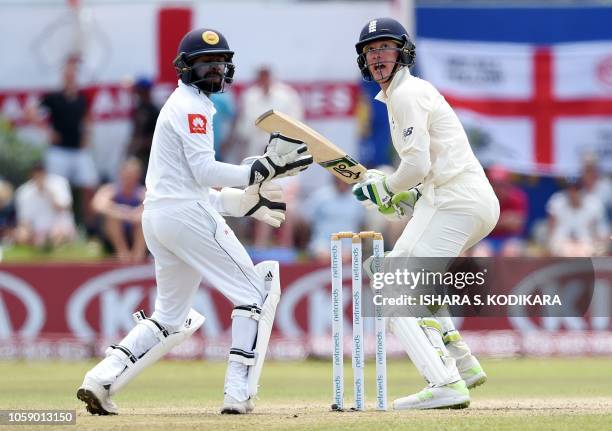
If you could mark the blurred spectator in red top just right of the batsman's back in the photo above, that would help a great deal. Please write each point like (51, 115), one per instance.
(513, 204)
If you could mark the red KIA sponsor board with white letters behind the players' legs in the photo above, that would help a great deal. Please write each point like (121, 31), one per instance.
(75, 311)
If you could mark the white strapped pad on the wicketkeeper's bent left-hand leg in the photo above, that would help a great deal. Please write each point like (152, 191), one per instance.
(135, 365)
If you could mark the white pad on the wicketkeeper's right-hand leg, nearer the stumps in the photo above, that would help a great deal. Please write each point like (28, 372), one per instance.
(270, 272)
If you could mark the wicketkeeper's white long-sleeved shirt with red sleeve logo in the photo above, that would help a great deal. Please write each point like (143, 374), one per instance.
(182, 163)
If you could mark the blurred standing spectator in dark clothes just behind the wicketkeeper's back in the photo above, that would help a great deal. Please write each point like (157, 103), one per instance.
(144, 118)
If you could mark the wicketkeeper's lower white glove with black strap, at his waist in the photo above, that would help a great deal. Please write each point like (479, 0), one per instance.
(263, 202)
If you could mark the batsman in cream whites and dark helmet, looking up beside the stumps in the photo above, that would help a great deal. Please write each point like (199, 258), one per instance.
(452, 209)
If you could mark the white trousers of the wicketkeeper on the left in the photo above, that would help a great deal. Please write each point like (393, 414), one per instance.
(190, 241)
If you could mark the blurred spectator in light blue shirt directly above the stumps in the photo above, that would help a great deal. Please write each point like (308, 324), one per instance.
(332, 209)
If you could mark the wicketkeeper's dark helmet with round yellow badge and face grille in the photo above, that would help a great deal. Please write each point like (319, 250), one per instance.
(210, 76)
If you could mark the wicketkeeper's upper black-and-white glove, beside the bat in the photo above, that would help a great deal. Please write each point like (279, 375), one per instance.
(283, 157)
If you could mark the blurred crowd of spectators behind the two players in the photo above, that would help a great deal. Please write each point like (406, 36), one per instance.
(64, 199)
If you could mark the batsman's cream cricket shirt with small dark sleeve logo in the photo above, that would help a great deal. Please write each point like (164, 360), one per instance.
(427, 135)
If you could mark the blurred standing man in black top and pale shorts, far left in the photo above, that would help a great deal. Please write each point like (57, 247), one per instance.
(69, 123)
